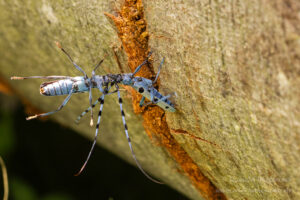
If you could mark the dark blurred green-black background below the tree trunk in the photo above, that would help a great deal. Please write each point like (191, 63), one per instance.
(42, 157)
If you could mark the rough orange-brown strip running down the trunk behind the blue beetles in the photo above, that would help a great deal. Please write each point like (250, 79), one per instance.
(132, 30)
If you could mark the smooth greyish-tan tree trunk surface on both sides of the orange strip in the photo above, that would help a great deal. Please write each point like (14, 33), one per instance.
(234, 65)
